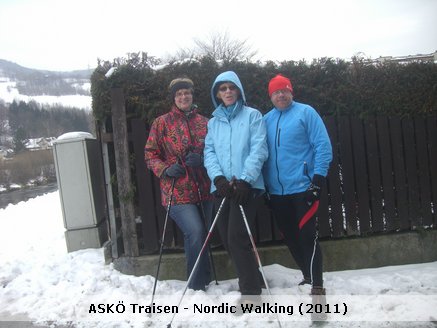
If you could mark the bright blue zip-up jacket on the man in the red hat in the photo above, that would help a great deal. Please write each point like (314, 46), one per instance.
(299, 147)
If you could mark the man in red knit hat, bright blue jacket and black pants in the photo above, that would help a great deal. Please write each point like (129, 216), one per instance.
(299, 156)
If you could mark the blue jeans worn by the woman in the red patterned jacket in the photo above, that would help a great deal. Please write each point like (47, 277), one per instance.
(189, 219)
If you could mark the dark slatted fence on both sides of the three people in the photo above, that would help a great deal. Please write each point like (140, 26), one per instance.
(383, 178)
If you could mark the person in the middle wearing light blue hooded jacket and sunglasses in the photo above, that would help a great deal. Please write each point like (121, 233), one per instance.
(234, 154)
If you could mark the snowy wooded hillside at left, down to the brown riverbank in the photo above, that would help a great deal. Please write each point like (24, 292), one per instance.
(37, 106)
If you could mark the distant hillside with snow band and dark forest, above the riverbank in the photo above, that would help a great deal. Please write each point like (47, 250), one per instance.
(36, 103)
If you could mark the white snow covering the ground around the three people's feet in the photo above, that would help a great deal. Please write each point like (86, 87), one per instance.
(42, 282)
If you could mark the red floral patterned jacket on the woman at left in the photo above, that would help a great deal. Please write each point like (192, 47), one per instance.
(171, 137)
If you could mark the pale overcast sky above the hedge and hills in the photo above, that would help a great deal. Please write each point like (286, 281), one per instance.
(67, 34)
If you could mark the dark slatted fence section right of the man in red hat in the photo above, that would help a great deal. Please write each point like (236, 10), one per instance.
(383, 176)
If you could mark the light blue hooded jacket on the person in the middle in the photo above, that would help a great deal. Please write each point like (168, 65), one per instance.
(236, 143)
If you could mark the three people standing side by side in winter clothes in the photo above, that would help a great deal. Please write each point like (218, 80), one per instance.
(288, 150)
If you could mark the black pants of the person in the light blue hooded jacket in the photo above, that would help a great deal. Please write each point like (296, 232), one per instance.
(235, 238)
